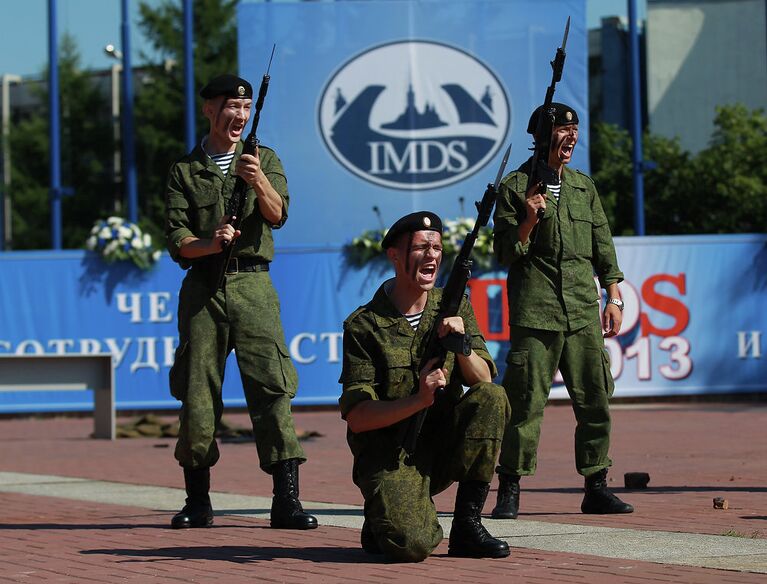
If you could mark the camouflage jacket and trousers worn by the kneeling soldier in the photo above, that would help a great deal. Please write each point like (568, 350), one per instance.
(459, 440)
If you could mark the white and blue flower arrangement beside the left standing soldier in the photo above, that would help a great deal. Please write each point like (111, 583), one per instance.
(117, 239)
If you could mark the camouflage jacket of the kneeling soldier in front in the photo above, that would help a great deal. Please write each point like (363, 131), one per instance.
(382, 353)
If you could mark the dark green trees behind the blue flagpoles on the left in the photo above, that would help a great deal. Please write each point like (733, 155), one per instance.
(87, 144)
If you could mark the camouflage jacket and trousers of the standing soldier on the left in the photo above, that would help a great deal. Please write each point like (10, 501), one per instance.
(244, 316)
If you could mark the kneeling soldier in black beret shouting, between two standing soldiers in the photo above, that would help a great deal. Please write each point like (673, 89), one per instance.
(383, 345)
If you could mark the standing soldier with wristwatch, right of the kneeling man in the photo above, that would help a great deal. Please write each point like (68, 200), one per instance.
(554, 317)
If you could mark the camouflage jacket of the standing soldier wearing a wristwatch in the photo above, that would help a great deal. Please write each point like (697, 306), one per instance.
(551, 283)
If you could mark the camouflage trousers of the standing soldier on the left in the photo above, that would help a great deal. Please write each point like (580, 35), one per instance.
(245, 317)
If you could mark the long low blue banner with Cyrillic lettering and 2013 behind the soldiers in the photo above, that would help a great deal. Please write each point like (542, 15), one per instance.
(694, 321)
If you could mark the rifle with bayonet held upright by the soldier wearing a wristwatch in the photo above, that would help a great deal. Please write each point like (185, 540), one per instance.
(540, 171)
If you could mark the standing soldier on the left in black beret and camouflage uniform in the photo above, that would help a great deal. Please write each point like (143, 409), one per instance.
(244, 314)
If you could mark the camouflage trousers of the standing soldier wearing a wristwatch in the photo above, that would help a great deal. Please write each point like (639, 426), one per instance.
(533, 359)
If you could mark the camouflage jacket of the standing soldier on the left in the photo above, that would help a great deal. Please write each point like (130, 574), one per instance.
(197, 195)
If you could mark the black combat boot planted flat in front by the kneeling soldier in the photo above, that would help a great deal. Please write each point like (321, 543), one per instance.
(468, 537)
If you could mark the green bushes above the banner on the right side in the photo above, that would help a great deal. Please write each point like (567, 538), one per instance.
(722, 189)
